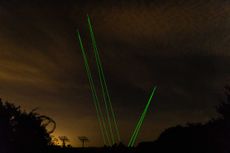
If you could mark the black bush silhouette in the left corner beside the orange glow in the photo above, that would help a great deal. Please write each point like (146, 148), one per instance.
(22, 131)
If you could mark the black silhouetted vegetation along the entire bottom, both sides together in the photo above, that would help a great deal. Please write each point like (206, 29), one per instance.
(29, 132)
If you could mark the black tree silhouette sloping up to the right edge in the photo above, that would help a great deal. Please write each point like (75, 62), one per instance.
(212, 137)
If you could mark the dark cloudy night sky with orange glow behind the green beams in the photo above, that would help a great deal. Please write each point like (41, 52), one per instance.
(182, 46)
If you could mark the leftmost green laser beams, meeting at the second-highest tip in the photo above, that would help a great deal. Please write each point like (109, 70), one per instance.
(94, 95)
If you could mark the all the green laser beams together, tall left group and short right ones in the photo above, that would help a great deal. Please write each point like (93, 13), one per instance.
(105, 113)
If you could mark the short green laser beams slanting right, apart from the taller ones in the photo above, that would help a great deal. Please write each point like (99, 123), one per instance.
(140, 122)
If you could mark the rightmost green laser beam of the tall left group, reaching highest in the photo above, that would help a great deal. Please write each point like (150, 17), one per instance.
(102, 79)
